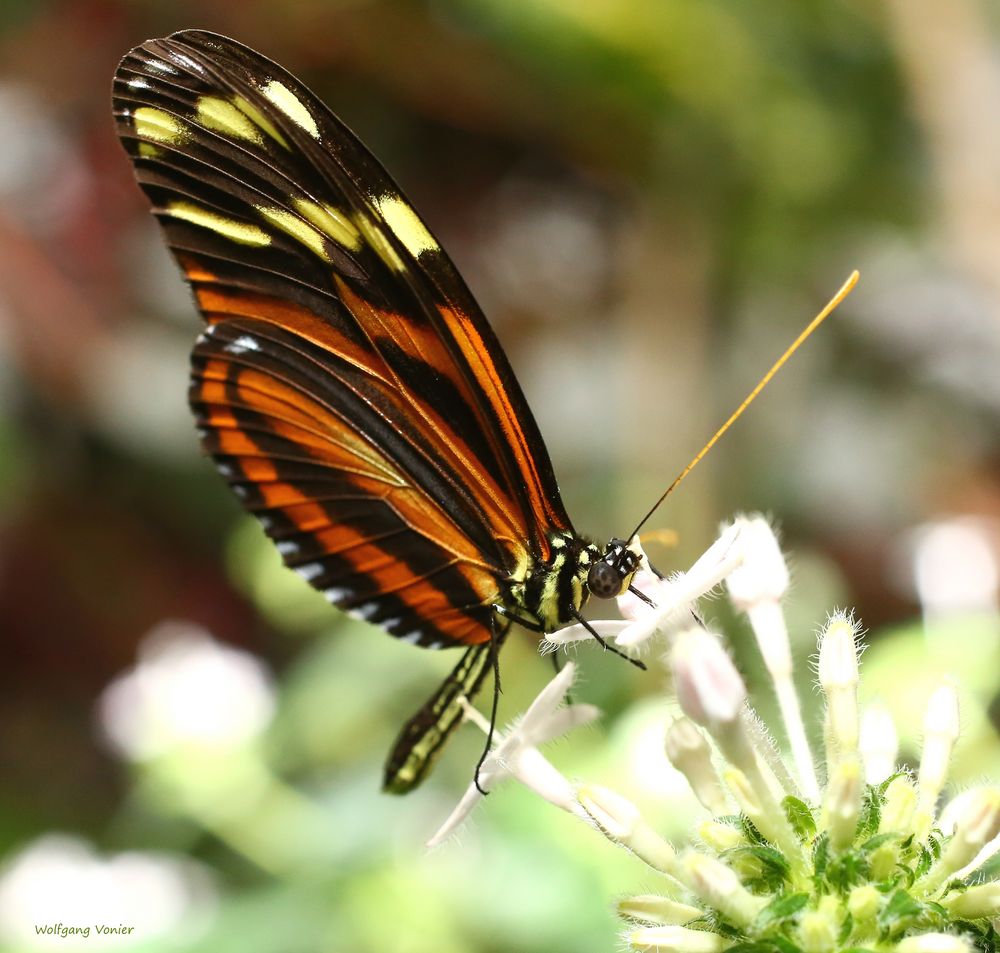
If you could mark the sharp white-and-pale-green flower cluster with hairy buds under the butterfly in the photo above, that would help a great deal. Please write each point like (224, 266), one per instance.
(846, 852)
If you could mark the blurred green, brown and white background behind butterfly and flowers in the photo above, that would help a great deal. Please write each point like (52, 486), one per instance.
(649, 198)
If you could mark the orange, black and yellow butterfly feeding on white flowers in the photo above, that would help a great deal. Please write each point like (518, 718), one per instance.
(347, 385)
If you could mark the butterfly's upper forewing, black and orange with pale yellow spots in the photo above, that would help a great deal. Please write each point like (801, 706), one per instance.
(270, 202)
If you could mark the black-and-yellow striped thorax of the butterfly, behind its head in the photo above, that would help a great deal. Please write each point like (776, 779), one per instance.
(551, 592)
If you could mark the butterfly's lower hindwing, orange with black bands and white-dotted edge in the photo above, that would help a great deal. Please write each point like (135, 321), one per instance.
(302, 448)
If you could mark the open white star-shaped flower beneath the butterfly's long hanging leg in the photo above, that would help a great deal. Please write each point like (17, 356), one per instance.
(516, 753)
